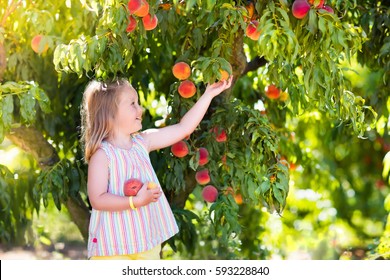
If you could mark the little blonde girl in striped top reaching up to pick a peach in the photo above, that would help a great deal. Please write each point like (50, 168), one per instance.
(129, 227)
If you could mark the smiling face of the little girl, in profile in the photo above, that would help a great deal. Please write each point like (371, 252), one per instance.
(128, 119)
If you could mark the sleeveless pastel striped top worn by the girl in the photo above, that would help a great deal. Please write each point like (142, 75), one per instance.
(130, 231)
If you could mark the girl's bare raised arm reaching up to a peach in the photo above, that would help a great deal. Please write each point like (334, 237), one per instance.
(167, 136)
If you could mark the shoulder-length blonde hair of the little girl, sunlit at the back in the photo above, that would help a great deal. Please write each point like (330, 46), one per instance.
(100, 104)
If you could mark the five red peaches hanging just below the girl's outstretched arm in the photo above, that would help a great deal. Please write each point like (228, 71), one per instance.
(202, 176)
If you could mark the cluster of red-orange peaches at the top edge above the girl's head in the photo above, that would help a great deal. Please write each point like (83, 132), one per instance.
(140, 8)
